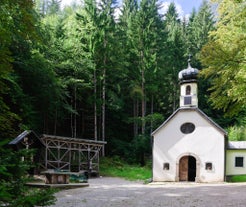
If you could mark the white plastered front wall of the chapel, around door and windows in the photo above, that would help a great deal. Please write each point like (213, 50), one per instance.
(206, 143)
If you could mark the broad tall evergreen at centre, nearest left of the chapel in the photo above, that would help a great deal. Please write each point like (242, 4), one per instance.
(142, 37)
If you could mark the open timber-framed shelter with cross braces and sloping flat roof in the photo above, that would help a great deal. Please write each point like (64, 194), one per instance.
(72, 154)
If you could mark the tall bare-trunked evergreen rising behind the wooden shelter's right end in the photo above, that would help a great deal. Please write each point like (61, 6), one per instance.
(98, 21)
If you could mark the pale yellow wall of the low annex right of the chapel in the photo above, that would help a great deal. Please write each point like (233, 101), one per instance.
(230, 162)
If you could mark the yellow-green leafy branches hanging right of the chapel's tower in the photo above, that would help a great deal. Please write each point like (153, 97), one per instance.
(224, 57)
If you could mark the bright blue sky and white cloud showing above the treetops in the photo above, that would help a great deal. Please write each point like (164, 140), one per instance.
(184, 7)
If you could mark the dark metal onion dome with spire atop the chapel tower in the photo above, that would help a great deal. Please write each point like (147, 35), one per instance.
(189, 74)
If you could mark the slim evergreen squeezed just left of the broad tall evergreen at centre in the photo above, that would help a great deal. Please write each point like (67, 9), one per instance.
(126, 29)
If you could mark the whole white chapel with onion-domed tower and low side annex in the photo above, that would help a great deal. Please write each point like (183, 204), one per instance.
(190, 146)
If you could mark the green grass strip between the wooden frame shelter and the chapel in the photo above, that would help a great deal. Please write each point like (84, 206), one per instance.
(115, 167)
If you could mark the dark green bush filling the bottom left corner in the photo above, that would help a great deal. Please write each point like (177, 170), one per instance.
(13, 191)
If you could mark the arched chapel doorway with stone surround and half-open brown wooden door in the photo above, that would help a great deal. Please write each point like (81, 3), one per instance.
(188, 167)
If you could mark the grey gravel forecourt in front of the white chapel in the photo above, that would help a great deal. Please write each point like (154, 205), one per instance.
(116, 192)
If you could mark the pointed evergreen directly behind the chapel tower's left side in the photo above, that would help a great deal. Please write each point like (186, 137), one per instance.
(174, 56)
